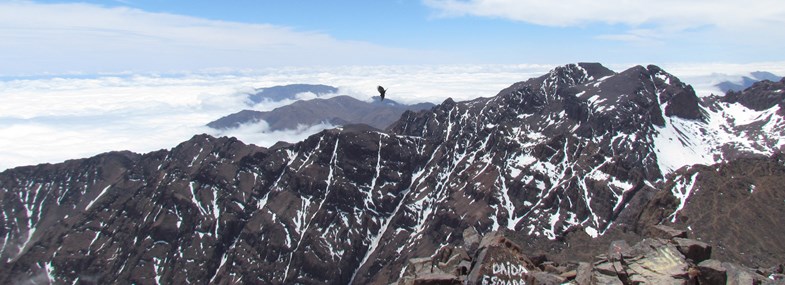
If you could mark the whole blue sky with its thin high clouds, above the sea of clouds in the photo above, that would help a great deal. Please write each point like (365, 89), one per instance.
(55, 37)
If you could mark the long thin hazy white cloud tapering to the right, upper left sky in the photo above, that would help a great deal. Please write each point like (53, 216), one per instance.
(61, 38)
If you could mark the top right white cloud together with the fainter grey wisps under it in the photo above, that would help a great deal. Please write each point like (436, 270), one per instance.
(640, 21)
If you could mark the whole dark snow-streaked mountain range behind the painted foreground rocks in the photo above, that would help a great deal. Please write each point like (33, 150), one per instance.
(563, 163)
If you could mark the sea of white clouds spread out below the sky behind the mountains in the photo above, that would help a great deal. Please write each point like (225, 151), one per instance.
(55, 118)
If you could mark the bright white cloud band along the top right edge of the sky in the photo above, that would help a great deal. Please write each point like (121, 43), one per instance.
(696, 13)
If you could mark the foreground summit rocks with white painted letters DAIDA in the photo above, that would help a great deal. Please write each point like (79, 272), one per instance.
(668, 258)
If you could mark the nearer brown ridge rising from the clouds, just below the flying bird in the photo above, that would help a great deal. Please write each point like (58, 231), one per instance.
(340, 110)
